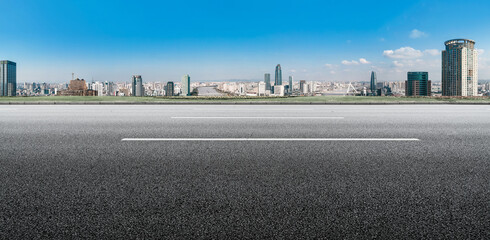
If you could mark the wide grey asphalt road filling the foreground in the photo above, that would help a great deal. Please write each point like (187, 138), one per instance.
(66, 173)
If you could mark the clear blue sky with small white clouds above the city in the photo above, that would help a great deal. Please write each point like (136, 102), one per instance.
(222, 40)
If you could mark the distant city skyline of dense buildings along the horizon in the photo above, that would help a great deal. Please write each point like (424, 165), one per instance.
(460, 66)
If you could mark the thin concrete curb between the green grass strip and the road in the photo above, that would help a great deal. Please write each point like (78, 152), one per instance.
(236, 103)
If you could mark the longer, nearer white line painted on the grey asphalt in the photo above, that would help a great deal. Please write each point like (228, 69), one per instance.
(267, 139)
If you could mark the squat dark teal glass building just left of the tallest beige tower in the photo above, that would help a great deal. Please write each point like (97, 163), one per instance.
(418, 84)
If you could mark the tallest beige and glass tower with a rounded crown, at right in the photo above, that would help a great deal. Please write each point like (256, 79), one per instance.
(460, 68)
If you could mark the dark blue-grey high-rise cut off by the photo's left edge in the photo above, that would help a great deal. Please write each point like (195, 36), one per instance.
(8, 78)
